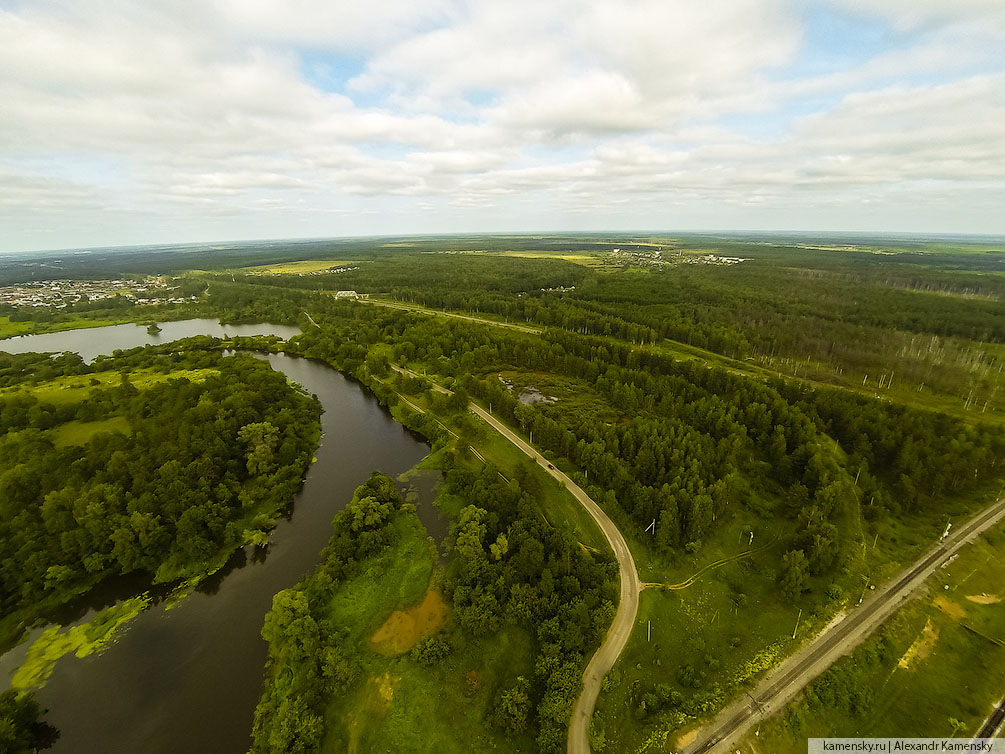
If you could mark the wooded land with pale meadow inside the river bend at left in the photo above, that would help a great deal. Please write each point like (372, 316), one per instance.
(151, 460)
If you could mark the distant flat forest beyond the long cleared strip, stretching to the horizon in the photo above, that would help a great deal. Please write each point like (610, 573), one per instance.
(852, 319)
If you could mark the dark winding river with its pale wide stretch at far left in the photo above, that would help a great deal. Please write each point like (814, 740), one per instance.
(187, 680)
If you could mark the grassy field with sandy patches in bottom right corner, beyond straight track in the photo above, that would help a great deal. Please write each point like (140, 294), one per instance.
(929, 667)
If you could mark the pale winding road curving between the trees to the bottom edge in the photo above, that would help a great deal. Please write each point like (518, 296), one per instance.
(625, 620)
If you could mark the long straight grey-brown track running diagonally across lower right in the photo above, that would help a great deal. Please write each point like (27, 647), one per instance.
(793, 675)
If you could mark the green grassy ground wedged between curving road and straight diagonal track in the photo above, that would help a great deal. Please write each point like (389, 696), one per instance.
(701, 642)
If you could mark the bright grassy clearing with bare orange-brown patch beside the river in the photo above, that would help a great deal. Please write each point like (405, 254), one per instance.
(398, 705)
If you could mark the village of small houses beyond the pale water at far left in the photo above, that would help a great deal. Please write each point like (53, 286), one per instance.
(61, 294)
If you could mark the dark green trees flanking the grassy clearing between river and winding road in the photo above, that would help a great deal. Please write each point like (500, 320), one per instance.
(508, 567)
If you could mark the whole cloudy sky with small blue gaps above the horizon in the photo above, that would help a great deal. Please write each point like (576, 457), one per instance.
(141, 122)
